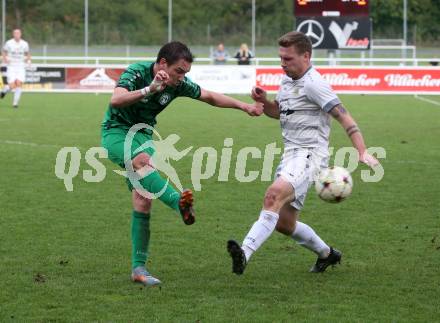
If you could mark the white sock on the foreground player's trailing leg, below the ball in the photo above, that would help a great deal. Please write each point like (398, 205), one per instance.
(307, 237)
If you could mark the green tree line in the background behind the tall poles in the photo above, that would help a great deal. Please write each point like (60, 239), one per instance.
(196, 22)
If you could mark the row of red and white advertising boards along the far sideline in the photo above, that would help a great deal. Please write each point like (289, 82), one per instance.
(240, 79)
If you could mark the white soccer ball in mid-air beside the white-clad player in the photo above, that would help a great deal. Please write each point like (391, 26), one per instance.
(334, 184)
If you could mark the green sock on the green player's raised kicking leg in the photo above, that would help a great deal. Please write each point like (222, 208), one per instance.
(154, 183)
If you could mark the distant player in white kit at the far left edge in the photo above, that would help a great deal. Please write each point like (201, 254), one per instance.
(15, 56)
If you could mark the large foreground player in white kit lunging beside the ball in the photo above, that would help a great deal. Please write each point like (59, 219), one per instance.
(303, 105)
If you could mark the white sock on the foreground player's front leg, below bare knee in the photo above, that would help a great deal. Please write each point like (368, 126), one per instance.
(260, 231)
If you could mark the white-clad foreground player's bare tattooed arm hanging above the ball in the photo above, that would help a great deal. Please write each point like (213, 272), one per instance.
(354, 133)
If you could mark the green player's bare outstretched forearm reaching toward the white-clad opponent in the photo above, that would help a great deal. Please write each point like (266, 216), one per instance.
(223, 101)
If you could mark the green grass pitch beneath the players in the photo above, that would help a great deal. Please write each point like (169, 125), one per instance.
(65, 256)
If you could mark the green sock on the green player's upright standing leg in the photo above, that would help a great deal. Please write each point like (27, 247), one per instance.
(140, 238)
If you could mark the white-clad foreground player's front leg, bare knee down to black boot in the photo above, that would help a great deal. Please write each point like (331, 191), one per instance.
(278, 194)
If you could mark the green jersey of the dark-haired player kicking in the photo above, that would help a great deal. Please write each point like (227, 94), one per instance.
(136, 77)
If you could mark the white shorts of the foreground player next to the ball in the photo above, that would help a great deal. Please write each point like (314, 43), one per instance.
(299, 166)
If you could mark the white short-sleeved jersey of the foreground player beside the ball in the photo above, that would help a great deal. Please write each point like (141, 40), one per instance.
(304, 105)
